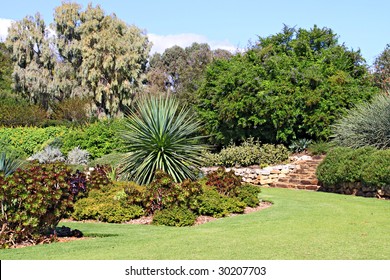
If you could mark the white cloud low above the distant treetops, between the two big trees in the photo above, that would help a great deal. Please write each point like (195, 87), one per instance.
(162, 42)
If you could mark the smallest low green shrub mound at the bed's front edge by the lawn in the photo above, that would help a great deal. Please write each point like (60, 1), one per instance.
(175, 216)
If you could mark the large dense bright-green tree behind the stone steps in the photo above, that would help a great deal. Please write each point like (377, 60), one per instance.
(287, 86)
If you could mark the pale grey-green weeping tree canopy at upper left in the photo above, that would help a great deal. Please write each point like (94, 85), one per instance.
(90, 55)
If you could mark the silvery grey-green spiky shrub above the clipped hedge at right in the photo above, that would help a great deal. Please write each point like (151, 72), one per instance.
(366, 125)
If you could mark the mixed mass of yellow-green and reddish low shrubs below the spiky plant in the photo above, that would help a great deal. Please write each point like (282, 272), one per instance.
(170, 203)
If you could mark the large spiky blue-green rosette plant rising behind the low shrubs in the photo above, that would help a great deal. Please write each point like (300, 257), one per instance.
(160, 136)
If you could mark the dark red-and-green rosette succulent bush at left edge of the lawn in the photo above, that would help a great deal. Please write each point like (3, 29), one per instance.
(33, 201)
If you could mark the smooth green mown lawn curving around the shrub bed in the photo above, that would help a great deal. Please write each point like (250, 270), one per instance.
(300, 225)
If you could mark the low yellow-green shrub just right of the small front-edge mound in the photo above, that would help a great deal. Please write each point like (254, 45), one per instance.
(212, 203)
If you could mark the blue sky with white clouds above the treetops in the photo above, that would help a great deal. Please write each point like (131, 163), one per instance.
(232, 24)
